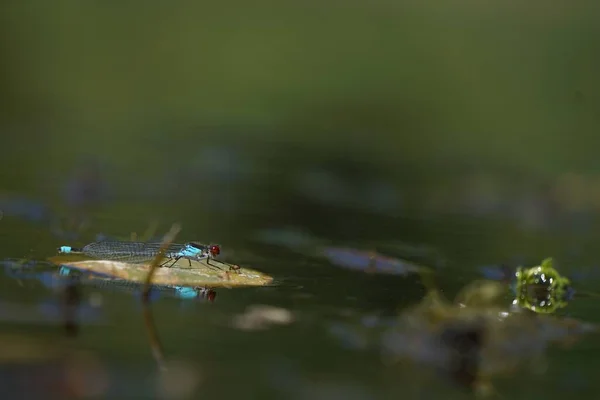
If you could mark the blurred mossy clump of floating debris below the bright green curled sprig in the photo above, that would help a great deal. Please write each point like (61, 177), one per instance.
(475, 341)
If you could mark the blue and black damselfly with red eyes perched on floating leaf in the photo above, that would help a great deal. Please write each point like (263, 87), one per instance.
(139, 252)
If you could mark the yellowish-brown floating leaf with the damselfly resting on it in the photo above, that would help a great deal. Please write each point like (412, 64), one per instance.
(216, 274)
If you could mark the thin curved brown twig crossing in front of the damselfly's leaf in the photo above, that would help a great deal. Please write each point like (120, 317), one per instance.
(148, 320)
